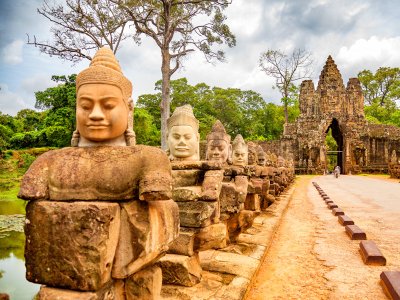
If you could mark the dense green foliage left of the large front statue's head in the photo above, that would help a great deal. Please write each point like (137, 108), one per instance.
(52, 127)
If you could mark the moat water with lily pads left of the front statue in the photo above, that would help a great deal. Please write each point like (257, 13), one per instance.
(12, 242)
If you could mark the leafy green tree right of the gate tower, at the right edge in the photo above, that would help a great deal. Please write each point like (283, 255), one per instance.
(381, 88)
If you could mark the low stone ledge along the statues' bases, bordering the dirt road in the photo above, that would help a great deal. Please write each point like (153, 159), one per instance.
(239, 261)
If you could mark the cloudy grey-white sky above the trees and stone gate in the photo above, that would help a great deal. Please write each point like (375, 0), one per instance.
(359, 34)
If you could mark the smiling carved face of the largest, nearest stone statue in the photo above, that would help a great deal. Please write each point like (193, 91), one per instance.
(101, 112)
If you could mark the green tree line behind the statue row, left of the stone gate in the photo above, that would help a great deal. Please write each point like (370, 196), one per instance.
(243, 112)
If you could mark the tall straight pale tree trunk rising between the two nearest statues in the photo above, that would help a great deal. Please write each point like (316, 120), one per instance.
(165, 96)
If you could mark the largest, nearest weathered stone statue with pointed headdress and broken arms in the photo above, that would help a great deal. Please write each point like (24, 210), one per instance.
(101, 213)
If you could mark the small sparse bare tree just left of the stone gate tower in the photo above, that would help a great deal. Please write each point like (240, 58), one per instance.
(286, 69)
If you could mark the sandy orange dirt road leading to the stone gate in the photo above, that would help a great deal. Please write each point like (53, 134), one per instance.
(313, 258)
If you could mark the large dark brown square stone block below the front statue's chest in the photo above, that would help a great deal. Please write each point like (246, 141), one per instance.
(71, 244)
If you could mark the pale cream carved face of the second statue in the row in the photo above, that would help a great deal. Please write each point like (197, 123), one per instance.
(183, 142)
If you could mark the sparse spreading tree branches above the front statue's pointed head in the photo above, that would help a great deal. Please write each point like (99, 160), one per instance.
(82, 28)
